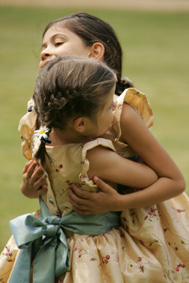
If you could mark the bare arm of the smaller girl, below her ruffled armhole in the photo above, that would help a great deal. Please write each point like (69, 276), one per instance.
(108, 165)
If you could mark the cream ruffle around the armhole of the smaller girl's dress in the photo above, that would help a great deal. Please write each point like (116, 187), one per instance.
(86, 182)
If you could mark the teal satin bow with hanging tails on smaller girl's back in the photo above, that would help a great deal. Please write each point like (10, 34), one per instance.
(43, 240)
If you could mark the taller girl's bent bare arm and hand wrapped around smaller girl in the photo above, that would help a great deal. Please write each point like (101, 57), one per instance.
(170, 183)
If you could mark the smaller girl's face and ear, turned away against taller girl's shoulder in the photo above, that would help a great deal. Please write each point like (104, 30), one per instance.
(104, 118)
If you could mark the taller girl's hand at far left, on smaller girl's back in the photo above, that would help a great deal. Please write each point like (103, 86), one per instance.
(34, 183)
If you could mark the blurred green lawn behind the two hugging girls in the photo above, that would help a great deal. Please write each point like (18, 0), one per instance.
(156, 58)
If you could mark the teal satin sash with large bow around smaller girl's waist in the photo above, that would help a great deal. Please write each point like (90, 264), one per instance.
(44, 240)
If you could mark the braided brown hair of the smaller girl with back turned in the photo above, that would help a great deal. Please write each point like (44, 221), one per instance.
(70, 87)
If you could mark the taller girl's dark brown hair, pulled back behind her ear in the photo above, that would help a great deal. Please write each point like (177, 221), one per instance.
(91, 30)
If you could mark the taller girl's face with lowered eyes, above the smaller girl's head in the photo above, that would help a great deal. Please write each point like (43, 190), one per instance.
(60, 41)
